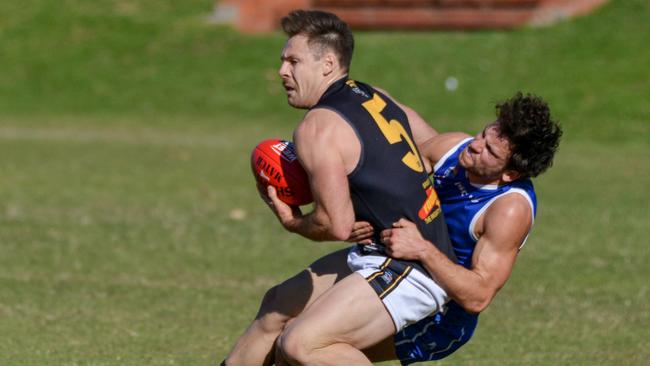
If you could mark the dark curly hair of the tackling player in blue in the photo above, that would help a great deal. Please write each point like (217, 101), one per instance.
(525, 120)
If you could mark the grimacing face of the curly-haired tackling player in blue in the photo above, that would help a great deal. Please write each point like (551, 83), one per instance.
(486, 157)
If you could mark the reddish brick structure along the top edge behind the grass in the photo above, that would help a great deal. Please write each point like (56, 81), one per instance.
(260, 16)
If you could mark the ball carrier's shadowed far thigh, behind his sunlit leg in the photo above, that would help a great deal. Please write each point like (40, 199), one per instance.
(292, 296)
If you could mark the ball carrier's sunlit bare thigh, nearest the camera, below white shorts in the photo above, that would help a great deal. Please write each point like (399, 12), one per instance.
(350, 312)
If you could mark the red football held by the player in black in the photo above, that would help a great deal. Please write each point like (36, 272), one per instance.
(275, 163)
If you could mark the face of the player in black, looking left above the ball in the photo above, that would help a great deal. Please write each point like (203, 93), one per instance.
(301, 73)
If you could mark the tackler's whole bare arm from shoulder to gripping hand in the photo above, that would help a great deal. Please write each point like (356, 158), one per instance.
(504, 226)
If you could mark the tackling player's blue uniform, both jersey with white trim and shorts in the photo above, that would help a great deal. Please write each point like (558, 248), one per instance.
(462, 202)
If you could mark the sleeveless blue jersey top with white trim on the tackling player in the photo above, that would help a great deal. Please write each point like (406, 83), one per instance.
(464, 202)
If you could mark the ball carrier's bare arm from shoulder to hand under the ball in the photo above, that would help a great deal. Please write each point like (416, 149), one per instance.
(326, 148)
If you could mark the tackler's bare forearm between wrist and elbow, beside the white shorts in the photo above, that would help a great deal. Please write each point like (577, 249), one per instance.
(464, 286)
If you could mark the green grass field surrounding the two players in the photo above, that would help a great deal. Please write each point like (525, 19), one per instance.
(131, 231)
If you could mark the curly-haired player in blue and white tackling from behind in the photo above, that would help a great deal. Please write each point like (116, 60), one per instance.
(489, 205)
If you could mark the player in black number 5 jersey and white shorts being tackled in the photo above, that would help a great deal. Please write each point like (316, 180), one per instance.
(357, 146)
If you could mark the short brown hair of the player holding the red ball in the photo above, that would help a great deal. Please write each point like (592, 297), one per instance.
(323, 30)
